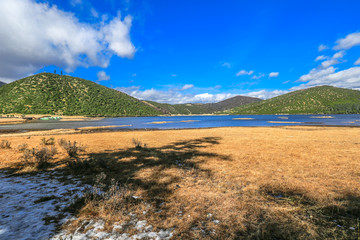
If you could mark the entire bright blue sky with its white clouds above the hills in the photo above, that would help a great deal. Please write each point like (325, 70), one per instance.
(185, 51)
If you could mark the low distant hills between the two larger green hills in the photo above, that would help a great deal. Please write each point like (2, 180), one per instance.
(207, 108)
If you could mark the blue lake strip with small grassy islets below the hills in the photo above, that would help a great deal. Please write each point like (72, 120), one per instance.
(175, 122)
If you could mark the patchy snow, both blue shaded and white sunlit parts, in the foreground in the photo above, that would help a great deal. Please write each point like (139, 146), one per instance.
(30, 203)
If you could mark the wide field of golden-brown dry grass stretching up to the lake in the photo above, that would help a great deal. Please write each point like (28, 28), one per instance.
(259, 183)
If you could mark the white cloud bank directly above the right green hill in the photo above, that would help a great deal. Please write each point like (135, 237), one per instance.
(348, 78)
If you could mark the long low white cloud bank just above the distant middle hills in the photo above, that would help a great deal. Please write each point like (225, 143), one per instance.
(173, 97)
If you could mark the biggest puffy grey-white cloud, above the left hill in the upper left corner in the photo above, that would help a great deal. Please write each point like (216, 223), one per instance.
(34, 35)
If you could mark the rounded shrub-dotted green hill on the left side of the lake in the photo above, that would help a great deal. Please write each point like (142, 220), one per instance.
(47, 93)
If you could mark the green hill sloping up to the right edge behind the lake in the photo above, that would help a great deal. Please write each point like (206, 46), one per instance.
(316, 100)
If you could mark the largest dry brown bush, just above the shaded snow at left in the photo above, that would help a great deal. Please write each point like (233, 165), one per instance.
(38, 158)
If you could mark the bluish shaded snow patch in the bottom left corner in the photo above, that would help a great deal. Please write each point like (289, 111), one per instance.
(22, 216)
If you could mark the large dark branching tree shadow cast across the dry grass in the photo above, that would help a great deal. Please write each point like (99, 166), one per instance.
(124, 165)
